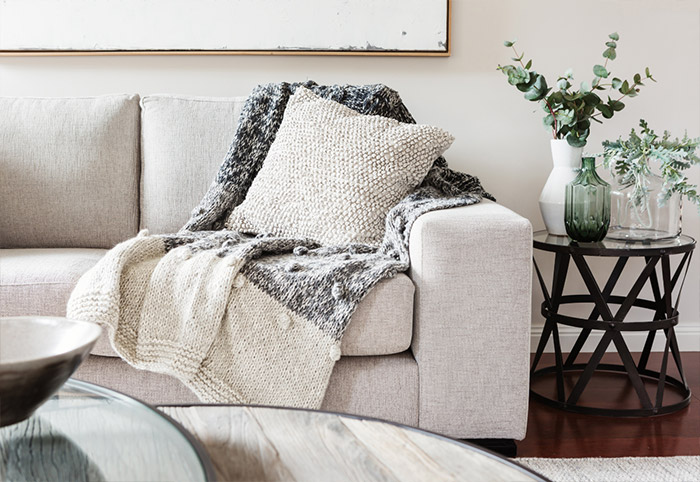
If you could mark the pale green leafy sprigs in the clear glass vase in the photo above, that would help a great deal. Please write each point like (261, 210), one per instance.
(630, 160)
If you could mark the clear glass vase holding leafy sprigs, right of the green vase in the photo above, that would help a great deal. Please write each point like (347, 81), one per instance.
(644, 216)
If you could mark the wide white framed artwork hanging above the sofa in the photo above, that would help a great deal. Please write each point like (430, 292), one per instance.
(245, 27)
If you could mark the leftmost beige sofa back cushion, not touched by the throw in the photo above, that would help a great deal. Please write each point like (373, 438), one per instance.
(69, 171)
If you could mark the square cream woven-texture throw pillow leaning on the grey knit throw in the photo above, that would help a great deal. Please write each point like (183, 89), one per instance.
(332, 174)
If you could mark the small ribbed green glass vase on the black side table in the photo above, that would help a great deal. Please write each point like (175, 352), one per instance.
(587, 205)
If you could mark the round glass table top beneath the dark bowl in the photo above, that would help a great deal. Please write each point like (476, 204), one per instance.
(86, 432)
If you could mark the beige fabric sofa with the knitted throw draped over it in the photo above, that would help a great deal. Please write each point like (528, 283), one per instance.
(444, 347)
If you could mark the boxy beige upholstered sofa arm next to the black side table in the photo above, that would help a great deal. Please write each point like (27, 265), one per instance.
(471, 267)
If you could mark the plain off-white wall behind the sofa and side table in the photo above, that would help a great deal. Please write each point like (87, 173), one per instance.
(499, 134)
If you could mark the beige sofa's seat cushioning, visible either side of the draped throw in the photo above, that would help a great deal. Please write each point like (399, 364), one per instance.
(40, 281)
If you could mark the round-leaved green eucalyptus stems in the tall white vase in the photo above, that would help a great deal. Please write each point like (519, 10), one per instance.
(569, 112)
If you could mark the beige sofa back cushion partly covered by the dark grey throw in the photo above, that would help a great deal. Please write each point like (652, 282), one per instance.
(184, 140)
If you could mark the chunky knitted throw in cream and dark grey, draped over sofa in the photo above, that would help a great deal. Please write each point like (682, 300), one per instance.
(244, 319)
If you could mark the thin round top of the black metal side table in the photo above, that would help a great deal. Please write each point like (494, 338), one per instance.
(611, 247)
